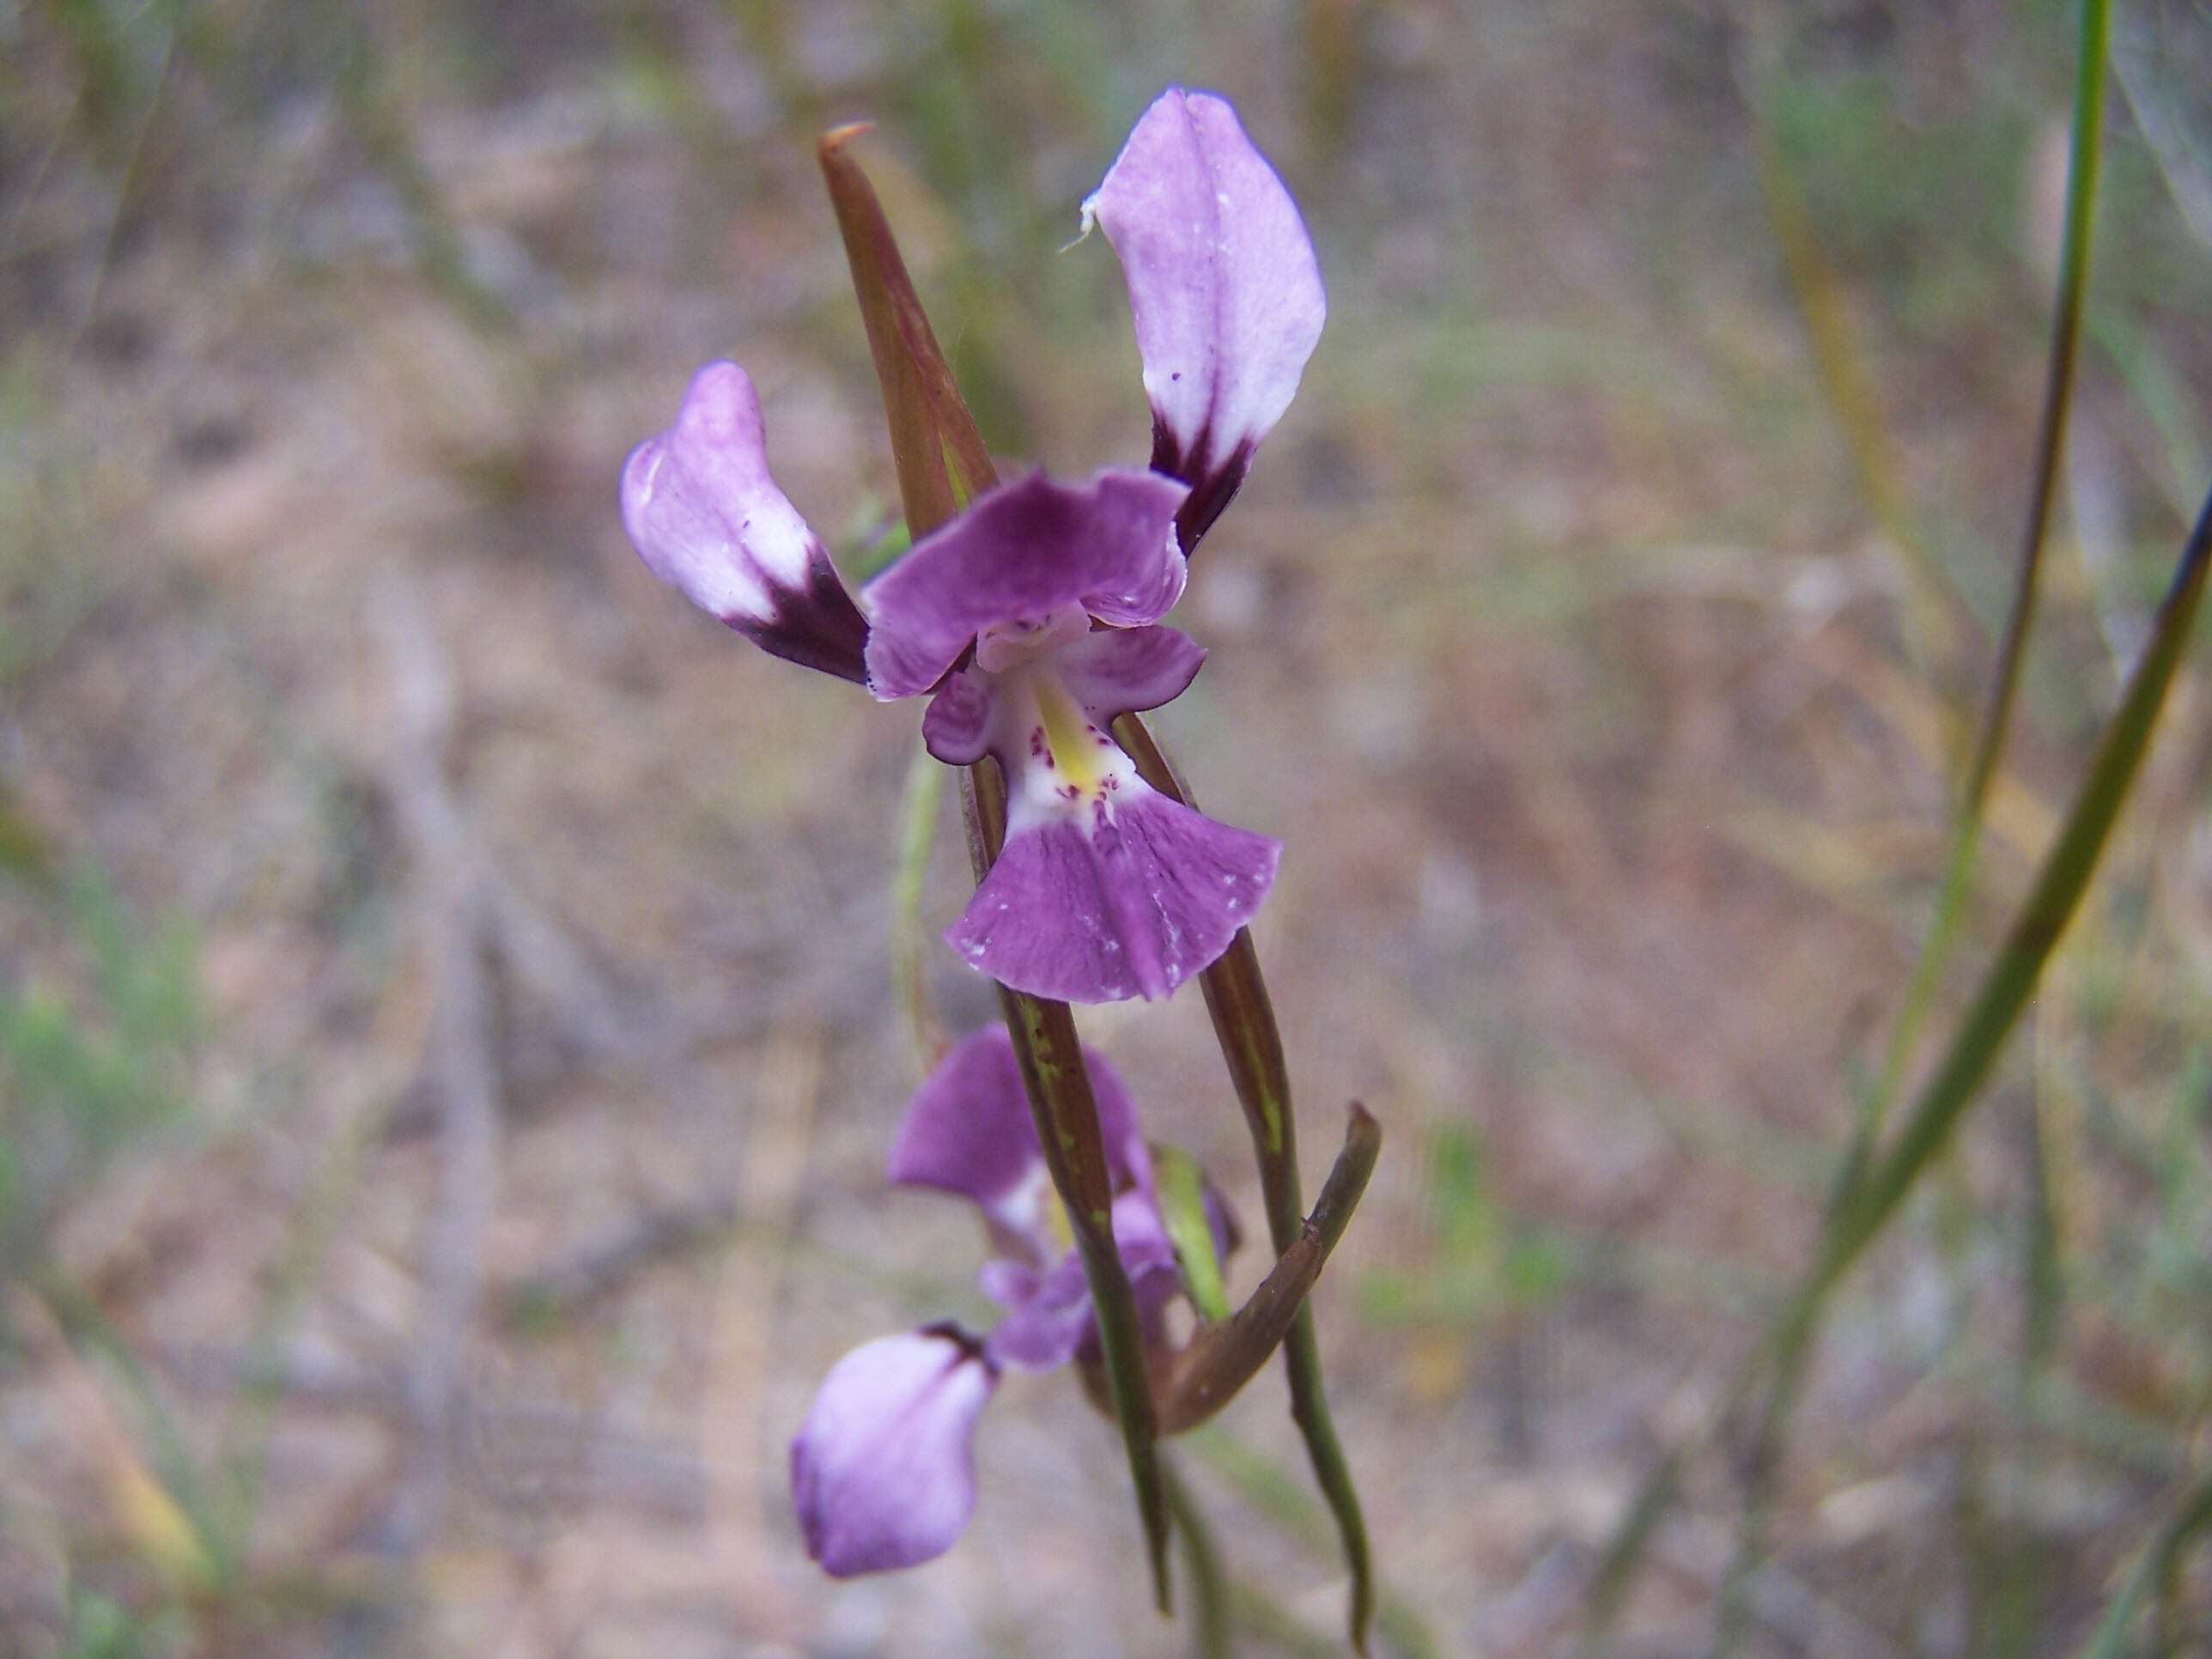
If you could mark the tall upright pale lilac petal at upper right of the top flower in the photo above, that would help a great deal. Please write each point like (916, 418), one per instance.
(1224, 289)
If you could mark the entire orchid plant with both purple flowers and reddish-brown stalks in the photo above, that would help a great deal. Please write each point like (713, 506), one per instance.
(1030, 614)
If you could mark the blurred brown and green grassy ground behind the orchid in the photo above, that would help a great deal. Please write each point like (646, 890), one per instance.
(448, 1030)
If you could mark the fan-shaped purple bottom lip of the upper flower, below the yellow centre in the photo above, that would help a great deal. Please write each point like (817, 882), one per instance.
(1125, 899)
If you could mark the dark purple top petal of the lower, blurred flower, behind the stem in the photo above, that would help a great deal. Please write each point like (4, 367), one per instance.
(968, 1131)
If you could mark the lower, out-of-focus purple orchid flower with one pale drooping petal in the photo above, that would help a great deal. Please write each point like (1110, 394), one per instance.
(884, 1474)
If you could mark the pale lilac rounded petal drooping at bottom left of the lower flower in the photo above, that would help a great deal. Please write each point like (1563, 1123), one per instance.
(884, 1470)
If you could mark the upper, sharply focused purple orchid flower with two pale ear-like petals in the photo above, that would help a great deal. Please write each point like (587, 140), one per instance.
(1032, 620)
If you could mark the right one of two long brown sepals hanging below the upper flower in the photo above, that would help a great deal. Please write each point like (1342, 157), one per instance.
(1253, 1050)
